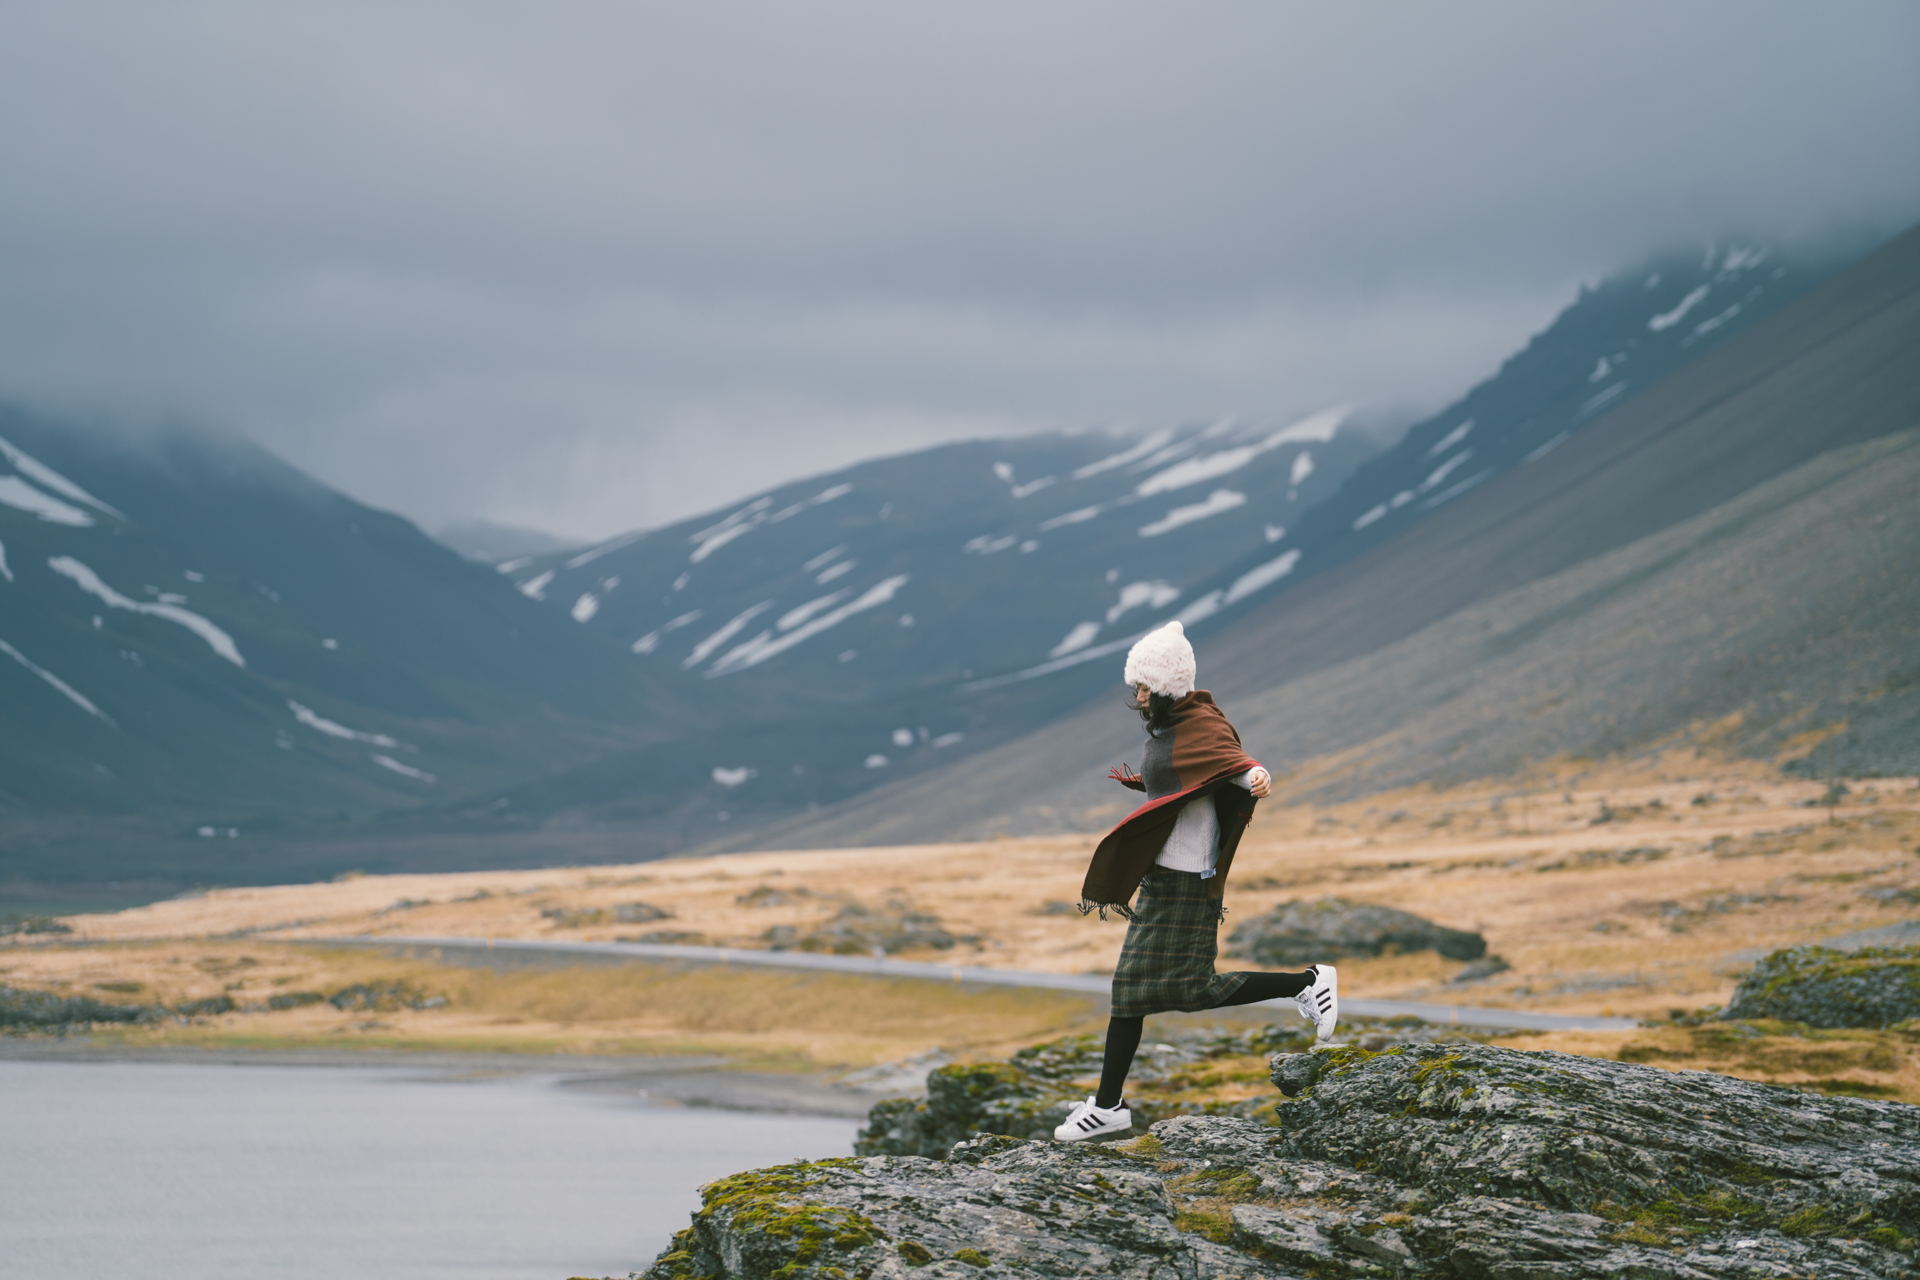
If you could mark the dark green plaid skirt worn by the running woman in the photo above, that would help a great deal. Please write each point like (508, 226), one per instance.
(1168, 959)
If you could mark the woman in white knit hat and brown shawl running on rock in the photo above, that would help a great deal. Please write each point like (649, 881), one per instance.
(1176, 851)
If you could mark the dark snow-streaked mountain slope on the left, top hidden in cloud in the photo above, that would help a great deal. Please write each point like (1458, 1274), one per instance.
(203, 638)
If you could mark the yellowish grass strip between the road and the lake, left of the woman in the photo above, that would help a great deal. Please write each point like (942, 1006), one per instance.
(750, 1018)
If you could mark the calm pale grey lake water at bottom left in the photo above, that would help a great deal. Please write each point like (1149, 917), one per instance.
(197, 1172)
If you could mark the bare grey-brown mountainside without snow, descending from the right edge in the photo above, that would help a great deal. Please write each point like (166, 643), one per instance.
(1380, 661)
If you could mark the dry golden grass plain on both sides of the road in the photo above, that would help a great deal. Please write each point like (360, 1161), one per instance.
(1627, 889)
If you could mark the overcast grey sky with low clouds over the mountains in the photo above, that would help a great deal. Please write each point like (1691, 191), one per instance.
(600, 266)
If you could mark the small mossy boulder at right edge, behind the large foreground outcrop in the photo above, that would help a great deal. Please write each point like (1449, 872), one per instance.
(1821, 987)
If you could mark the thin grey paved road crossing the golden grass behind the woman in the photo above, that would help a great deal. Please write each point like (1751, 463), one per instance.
(539, 951)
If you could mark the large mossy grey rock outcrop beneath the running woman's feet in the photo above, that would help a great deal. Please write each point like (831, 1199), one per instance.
(1439, 1160)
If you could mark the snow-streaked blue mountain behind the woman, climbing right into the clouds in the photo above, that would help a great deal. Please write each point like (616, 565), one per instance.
(1024, 567)
